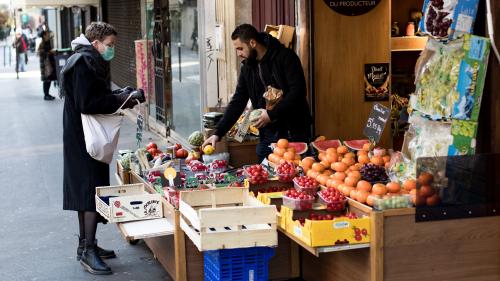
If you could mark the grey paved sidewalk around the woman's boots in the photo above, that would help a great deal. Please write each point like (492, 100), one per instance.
(39, 238)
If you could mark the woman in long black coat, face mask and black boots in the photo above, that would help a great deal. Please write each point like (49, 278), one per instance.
(85, 85)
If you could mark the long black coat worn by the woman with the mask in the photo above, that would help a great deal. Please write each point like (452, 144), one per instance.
(86, 90)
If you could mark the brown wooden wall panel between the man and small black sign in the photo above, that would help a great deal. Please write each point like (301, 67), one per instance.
(342, 45)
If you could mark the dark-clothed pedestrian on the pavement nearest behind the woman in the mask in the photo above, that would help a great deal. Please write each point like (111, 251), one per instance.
(47, 64)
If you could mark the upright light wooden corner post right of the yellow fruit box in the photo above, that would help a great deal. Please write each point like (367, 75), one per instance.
(377, 246)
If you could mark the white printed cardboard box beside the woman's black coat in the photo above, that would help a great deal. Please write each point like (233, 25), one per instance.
(127, 202)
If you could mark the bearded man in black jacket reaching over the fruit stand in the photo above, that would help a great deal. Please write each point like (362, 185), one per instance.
(266, 62)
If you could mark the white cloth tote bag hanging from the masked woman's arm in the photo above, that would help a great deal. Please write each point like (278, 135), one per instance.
(101, 132)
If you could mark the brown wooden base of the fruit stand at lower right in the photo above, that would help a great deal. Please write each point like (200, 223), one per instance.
(401, 249)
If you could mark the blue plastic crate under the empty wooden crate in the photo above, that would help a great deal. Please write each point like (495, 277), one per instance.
(244, 264)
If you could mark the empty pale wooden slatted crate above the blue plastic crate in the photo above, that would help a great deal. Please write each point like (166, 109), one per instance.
(227, 218)
